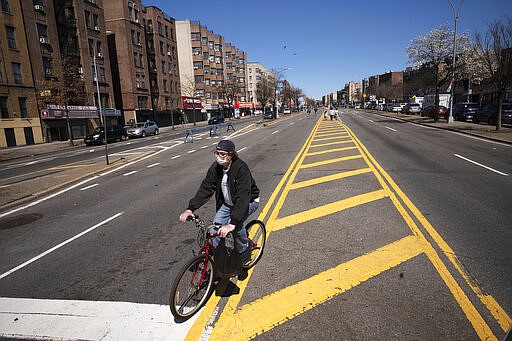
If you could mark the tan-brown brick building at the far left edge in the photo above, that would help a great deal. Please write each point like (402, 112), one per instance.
(19, 120)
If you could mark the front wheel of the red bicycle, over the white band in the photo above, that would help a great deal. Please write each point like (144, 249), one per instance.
(192, 287)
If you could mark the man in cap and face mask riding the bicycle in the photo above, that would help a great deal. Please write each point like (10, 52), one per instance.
(236, 195)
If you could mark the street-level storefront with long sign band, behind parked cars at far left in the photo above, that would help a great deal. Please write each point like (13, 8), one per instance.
(82, 119)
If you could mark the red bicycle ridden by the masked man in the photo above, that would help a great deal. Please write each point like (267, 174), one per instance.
(194, 283)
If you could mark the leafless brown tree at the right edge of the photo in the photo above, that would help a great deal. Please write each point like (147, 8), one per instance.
(494, 50)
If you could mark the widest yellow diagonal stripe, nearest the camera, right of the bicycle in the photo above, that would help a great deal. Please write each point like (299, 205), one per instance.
(275, 309)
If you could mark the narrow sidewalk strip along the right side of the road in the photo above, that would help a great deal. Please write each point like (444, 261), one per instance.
(480, 130)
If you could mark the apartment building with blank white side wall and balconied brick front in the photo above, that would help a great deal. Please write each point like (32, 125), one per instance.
(211, 70)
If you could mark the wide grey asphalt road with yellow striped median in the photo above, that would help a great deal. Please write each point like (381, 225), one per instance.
(347, 258)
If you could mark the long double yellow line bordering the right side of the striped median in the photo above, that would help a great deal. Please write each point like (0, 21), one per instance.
(472, 314)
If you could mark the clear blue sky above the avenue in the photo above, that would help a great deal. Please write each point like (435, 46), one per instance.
(330, 42)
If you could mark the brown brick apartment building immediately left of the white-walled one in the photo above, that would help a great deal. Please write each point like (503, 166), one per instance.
(142, 41)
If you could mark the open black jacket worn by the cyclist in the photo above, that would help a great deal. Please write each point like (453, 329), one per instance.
(242, 188)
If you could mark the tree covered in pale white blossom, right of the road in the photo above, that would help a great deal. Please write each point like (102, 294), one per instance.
(434, 51)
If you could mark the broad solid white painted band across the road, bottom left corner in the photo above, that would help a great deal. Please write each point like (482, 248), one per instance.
(44, 319)
